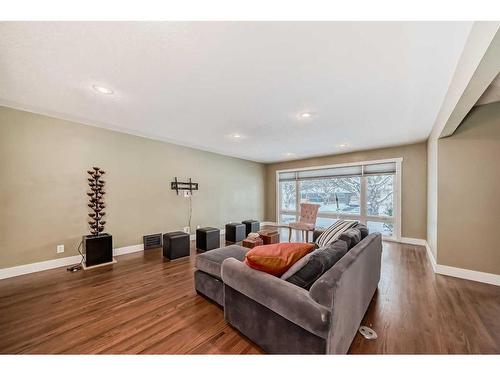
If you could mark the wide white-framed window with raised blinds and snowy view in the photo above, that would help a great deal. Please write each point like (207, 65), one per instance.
(367, 192)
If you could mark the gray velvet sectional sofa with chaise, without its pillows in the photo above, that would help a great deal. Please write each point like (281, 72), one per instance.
(282, 317)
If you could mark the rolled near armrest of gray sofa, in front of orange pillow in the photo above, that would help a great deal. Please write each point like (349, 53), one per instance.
(286, 299)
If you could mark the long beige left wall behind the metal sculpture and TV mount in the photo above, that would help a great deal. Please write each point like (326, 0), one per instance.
(43, 183)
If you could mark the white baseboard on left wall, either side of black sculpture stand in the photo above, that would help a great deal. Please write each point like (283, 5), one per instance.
(5, 273)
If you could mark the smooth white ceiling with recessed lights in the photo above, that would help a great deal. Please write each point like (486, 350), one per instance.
(368, 84)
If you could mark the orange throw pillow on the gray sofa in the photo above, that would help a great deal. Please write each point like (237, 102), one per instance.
(277, 258)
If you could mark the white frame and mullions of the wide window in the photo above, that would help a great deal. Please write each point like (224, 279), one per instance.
(395, 219)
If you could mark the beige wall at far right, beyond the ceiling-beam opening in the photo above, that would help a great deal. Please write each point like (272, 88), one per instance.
(469, 193)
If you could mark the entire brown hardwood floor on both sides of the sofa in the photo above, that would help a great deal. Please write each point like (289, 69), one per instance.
(144, 304)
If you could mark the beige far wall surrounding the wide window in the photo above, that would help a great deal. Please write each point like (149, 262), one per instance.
(414, 185)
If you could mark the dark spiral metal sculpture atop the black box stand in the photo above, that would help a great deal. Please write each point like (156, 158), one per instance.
(96, 204)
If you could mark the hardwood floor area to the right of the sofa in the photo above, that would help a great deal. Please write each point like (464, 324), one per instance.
(415, 311)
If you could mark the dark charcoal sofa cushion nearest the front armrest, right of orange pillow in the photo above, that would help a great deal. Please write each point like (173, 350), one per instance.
(318, 263)
